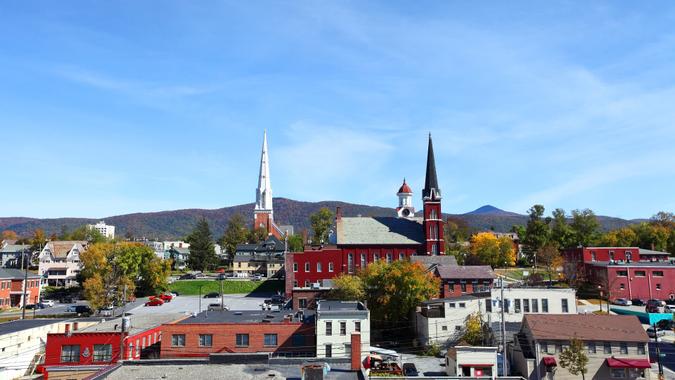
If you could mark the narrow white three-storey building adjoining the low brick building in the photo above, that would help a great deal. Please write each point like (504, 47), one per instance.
(335, 323)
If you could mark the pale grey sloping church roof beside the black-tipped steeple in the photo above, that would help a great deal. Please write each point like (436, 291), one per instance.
(379, 230)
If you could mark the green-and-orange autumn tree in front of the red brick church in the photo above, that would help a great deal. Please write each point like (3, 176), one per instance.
(394, 290)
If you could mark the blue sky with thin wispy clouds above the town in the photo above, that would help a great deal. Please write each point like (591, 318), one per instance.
(116, 107)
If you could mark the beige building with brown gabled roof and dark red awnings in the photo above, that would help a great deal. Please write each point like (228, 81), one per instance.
(616, 346)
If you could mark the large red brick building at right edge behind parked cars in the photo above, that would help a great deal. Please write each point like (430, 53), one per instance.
(623, 272)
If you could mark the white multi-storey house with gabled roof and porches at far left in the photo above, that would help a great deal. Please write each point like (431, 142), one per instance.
(60, 262)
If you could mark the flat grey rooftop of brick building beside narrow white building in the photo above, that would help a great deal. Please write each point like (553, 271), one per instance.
(245, 316)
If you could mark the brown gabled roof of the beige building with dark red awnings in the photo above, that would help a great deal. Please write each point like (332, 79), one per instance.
(623, 328)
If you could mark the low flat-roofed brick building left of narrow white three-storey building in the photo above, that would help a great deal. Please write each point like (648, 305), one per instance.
(282, 333)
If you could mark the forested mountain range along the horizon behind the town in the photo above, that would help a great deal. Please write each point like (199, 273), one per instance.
(177, 224)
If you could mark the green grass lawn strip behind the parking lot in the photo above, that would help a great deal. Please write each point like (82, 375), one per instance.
(191, 287)
